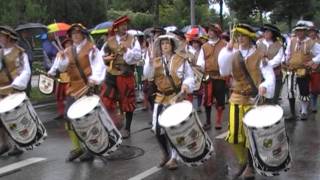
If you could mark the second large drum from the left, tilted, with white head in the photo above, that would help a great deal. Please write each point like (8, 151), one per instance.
(93, 125)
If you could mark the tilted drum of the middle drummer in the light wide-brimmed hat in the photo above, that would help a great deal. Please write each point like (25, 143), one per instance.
(185, 133)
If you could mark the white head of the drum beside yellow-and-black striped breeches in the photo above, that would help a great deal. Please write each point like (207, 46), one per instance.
(263, 116)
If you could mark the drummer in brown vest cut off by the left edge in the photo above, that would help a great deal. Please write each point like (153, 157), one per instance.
(14, 76)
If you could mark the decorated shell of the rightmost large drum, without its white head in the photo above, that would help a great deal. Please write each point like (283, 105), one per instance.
(269, 148)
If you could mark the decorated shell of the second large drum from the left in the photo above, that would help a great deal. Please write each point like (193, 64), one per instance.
(97, 131)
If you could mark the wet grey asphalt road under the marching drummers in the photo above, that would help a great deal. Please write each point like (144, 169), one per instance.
(304, 142)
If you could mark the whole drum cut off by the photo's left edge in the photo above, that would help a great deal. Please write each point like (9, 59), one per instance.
(21, 121)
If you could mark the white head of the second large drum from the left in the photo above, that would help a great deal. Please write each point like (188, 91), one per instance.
(83, 106)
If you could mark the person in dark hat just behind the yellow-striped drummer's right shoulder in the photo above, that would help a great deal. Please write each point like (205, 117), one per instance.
(272, 45)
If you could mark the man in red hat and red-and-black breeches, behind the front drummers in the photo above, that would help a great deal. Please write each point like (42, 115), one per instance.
(121, 53)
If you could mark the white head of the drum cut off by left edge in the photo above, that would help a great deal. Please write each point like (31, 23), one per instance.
(12, 101)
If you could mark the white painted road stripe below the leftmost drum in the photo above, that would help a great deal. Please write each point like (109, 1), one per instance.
(19, 165)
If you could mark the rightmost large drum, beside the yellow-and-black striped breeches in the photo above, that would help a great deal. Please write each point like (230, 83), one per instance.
(268, 140)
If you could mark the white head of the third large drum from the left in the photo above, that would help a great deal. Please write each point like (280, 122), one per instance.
(175, 114)
